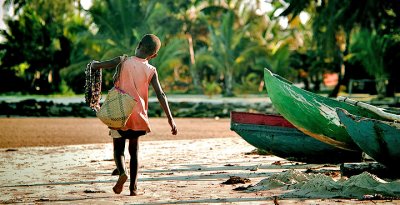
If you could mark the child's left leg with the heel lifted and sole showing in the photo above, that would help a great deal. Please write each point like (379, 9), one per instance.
(119, 158)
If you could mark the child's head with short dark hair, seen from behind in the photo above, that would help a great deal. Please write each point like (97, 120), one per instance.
(148, 46)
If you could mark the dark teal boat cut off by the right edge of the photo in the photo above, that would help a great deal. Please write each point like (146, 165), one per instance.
(379, 139)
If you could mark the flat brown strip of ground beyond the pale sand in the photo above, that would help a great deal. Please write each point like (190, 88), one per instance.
(23, 132)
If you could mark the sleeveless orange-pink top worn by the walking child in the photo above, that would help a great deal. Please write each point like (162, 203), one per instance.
(134, 79)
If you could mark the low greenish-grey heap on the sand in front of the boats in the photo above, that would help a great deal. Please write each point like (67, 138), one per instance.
(298, 184)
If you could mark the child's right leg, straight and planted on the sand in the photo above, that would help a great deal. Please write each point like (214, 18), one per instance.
(134, 164)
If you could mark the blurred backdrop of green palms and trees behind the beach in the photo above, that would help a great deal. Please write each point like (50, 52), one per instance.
(217, 47)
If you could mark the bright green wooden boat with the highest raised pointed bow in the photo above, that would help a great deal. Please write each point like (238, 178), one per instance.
(311, 113)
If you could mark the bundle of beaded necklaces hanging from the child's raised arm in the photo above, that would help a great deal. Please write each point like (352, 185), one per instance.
(93, 87)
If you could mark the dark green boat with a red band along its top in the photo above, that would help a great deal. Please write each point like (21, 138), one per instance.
(276, 135)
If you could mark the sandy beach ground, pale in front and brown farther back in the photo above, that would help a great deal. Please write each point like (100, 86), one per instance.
(69, 161)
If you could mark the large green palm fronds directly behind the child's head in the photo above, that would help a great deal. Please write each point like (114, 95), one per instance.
(117, 27)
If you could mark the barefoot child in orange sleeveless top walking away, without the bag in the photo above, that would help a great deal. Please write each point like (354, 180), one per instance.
(135, 77)
